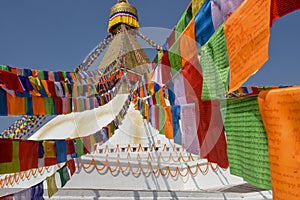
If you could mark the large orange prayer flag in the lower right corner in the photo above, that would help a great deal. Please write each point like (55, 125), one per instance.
(280, 111)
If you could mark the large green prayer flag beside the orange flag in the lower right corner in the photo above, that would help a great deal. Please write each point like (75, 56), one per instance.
(247, 141)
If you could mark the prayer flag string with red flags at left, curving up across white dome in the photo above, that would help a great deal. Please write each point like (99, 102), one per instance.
(22, 155)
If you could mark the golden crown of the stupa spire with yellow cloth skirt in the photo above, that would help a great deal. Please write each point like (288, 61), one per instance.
(123, 13)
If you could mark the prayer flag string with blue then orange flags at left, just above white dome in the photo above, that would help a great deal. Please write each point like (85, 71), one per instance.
(39, 105)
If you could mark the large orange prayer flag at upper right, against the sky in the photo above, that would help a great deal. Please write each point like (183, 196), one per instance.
(247, 34)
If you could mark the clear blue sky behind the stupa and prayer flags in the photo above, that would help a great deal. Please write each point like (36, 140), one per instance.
(58, 34)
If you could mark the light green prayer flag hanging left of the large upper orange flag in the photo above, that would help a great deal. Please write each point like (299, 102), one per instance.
(213, 58)
